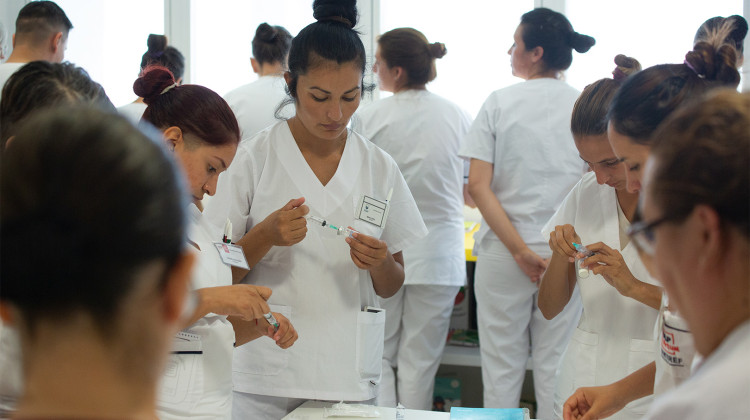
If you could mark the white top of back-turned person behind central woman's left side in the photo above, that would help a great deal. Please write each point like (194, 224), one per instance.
(254, 104)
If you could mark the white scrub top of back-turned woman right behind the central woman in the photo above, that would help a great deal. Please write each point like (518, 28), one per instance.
(423, 132)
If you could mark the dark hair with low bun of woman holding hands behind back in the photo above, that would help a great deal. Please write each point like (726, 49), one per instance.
(553, 32)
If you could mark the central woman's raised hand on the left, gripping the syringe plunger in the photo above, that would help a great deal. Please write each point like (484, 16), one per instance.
(287, 225)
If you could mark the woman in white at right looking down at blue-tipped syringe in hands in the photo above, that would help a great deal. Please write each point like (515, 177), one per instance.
(620, 299)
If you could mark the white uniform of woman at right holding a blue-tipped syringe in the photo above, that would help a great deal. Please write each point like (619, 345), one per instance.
(615, 334)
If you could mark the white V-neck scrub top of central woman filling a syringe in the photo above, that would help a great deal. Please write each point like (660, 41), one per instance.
(315, 283)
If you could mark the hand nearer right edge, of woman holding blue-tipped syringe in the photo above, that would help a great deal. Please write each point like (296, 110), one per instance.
(609, 263)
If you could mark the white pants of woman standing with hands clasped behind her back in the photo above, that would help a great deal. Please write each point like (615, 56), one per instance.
(509, 322)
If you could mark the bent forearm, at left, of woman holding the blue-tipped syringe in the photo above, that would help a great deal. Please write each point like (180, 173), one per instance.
(556, 287)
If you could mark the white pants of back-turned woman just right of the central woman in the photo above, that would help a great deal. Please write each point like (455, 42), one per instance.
(416, 327)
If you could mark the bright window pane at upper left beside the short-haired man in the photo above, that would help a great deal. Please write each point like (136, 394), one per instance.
(108, 40)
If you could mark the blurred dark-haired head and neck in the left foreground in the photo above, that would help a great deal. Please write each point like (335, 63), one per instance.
(96, 316)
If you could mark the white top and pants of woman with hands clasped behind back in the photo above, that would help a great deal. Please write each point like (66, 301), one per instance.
(524, 131)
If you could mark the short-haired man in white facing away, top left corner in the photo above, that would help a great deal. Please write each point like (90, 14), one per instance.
(41, 34)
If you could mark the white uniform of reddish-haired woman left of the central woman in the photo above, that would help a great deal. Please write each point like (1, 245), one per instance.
(199, 386)
